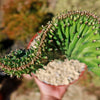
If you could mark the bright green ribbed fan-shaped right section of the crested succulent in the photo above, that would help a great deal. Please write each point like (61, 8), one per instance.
(76, 35)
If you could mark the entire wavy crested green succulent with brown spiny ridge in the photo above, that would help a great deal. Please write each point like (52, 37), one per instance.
(72, 35)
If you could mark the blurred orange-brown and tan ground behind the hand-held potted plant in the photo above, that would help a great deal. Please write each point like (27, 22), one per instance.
(20, 20)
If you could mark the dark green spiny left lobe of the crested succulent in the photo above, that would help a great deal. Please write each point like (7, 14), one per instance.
(20, 62)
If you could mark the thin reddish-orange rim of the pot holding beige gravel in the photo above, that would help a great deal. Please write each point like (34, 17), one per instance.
(50, 84)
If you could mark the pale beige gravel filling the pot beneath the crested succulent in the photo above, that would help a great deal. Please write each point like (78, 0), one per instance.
(60, 72)
